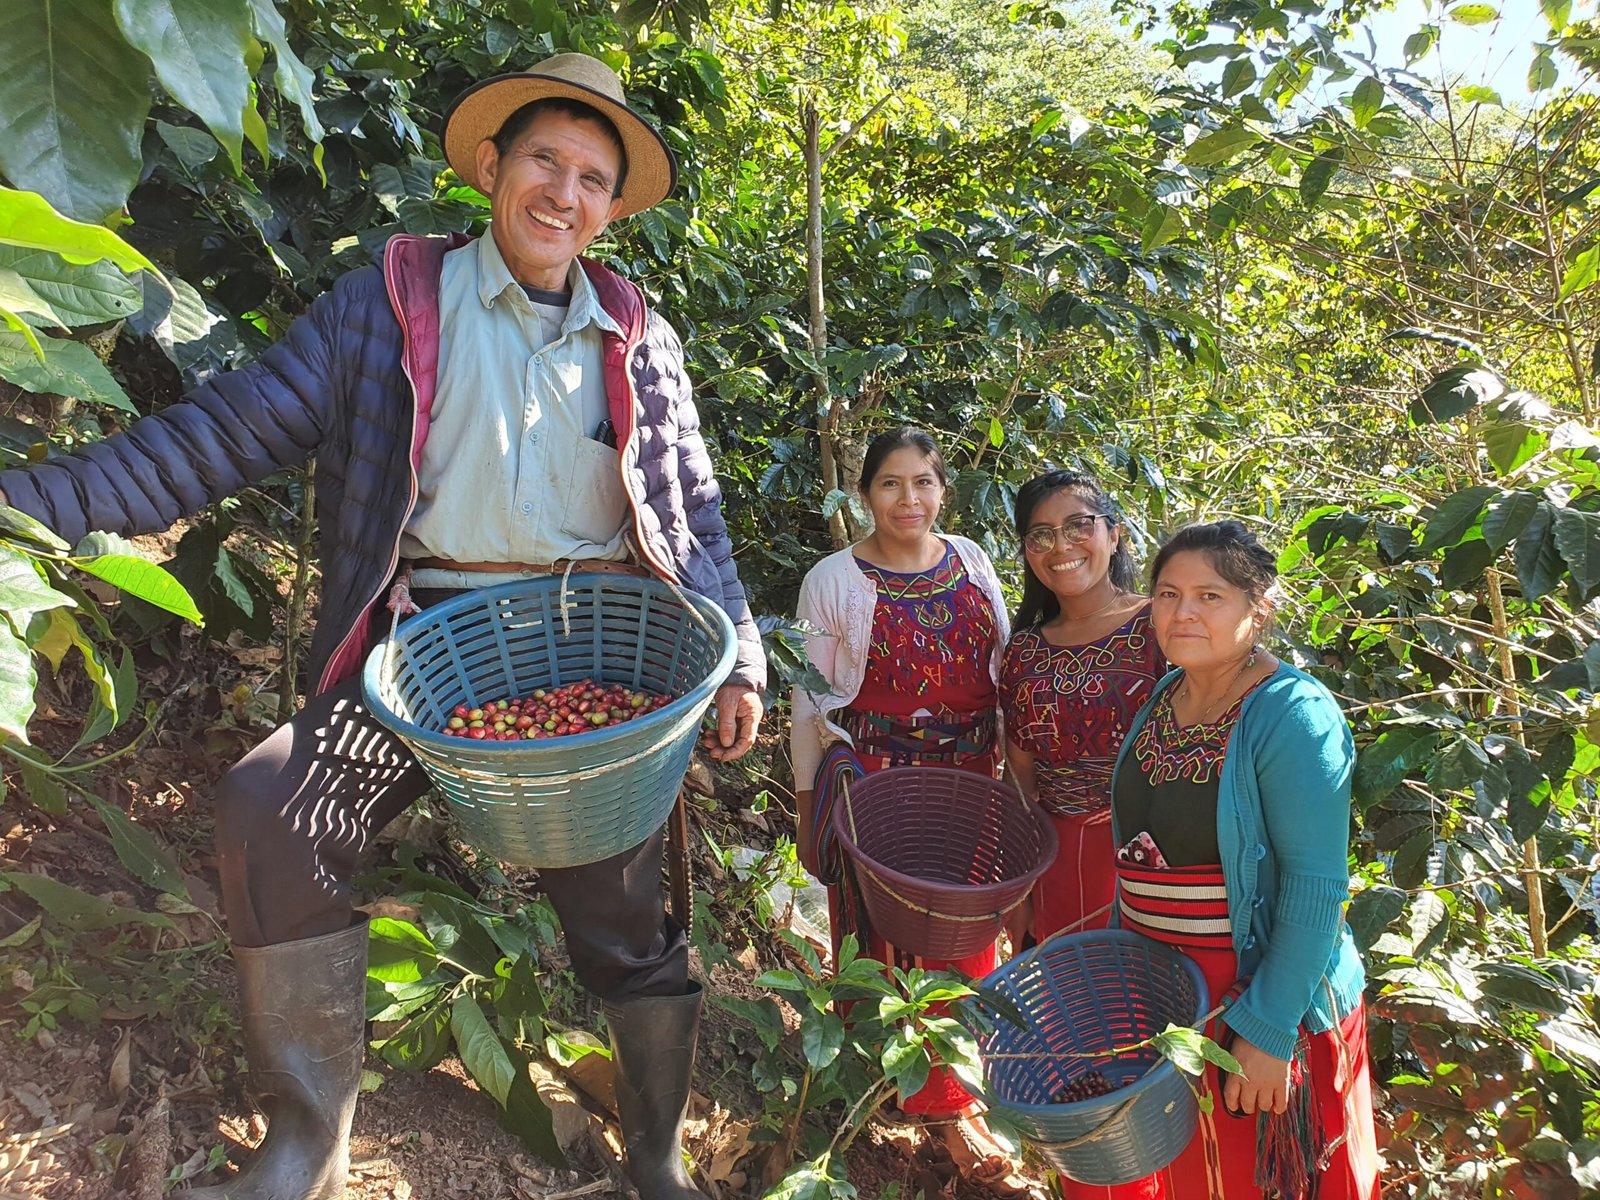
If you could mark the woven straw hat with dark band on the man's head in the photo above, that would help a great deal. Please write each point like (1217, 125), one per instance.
(481, 111)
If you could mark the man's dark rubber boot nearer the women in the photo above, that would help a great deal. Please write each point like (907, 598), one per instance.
(654, 1058)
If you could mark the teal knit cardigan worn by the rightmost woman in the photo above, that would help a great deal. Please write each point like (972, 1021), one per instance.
(1284, 826)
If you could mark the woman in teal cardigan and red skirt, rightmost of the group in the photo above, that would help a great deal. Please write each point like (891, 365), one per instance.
(1231, 810)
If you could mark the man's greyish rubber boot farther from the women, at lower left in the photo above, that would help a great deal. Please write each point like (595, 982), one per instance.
(303, 1006)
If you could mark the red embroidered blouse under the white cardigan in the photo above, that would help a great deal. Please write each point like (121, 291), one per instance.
(934, 638)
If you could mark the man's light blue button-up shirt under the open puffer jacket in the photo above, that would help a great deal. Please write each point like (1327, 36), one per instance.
(511, 470)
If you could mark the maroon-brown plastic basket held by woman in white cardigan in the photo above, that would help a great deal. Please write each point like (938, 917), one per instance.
(942, 855)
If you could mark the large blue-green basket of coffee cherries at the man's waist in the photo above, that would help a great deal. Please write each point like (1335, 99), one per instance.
(556, 802)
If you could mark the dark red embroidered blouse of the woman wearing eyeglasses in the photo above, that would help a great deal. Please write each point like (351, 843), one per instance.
(1071, 708)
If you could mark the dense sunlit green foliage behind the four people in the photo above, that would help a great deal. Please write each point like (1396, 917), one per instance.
(1247, 271)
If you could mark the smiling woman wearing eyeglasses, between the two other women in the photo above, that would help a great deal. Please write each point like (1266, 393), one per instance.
(1074, 674)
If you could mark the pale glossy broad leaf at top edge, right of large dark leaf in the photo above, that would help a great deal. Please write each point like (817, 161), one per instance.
(199, 52)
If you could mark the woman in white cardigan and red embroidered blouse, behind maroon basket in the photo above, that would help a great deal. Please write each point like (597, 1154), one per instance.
(906, 630)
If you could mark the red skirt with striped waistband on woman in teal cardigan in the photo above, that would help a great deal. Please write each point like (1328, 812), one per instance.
(1222, 1161)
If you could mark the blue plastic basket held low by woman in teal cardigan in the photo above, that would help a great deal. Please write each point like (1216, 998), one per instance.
(1089, 994)
